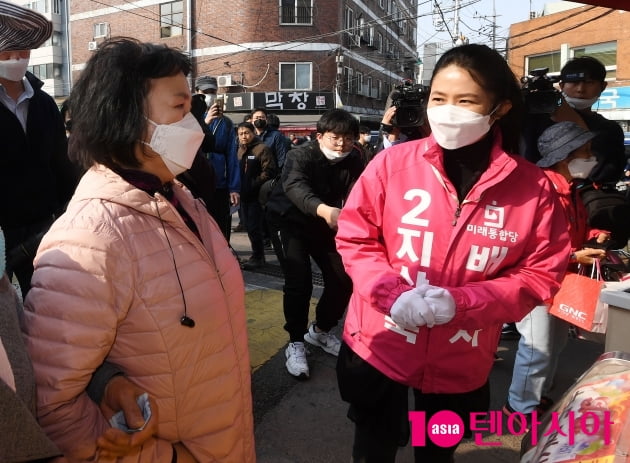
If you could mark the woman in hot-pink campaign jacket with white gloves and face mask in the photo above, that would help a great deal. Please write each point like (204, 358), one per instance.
(445, 239)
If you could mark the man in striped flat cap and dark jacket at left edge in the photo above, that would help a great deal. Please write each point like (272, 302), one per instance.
(37, 175)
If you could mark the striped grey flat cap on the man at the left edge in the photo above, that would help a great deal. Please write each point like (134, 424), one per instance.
(22, 28)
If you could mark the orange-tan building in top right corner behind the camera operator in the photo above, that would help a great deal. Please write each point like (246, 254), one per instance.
(560, 34)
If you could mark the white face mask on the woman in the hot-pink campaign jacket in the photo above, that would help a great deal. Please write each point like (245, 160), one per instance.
(454, 126)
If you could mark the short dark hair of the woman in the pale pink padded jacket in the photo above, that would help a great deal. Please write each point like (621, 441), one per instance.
(108, 102)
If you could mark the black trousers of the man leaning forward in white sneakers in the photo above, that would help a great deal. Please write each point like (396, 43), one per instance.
(295, 244)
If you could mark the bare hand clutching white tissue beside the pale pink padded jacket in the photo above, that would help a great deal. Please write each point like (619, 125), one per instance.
(121, 394)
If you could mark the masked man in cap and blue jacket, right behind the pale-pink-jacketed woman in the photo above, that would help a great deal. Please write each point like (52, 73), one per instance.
(222, 158)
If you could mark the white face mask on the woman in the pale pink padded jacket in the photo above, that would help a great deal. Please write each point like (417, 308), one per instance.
(177, 143)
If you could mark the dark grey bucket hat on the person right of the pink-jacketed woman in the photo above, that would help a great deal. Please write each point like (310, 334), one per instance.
(561, 139)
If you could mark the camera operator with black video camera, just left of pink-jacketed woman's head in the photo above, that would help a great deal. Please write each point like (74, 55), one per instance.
(404, 118)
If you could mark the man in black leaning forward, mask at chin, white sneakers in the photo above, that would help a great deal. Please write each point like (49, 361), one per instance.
(302, 213)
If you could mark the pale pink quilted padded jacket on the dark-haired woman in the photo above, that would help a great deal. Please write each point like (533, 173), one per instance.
(107, 287)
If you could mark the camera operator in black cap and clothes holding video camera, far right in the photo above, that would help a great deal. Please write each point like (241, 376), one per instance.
(582, 81)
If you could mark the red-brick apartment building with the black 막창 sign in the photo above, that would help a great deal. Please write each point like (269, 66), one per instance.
(297, 58)
